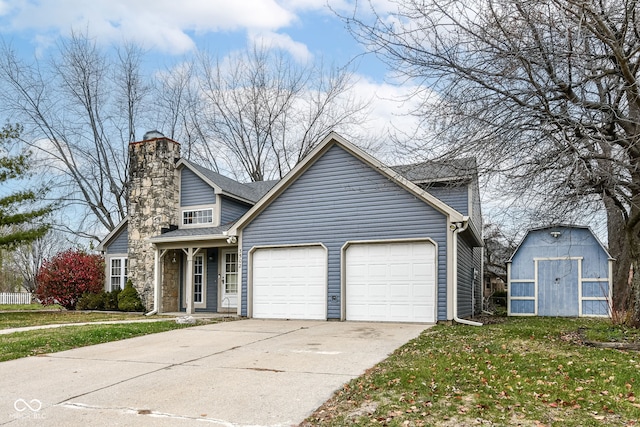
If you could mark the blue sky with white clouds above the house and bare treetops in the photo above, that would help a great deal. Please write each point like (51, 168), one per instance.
(170, 30)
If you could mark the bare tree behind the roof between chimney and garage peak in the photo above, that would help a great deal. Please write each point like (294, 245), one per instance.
(266, 112)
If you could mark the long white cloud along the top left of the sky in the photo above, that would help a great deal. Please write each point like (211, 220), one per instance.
(156, 24)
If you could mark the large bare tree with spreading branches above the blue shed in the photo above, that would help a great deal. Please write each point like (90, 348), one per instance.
(543, 92)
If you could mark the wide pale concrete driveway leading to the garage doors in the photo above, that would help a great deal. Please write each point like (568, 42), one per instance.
(241, 373)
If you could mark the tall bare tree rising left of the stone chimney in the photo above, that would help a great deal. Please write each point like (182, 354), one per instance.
(79, 111)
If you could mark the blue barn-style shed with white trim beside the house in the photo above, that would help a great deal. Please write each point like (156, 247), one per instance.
(561, 270)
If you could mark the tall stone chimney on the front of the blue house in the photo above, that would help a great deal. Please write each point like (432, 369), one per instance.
(153, 204)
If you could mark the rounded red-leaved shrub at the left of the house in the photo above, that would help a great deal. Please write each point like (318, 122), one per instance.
(64, 278)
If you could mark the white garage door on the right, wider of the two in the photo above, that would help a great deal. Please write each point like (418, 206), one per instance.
(391, 282)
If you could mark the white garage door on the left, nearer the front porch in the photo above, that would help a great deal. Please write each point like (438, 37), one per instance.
(290, 283)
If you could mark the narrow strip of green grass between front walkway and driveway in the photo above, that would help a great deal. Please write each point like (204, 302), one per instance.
(32, 343)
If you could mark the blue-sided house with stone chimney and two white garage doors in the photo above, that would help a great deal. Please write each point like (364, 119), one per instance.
(341, 236)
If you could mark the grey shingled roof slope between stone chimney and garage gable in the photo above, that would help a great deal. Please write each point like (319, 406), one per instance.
(249, 193)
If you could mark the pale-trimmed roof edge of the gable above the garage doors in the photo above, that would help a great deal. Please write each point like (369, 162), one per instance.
(335, 139)
